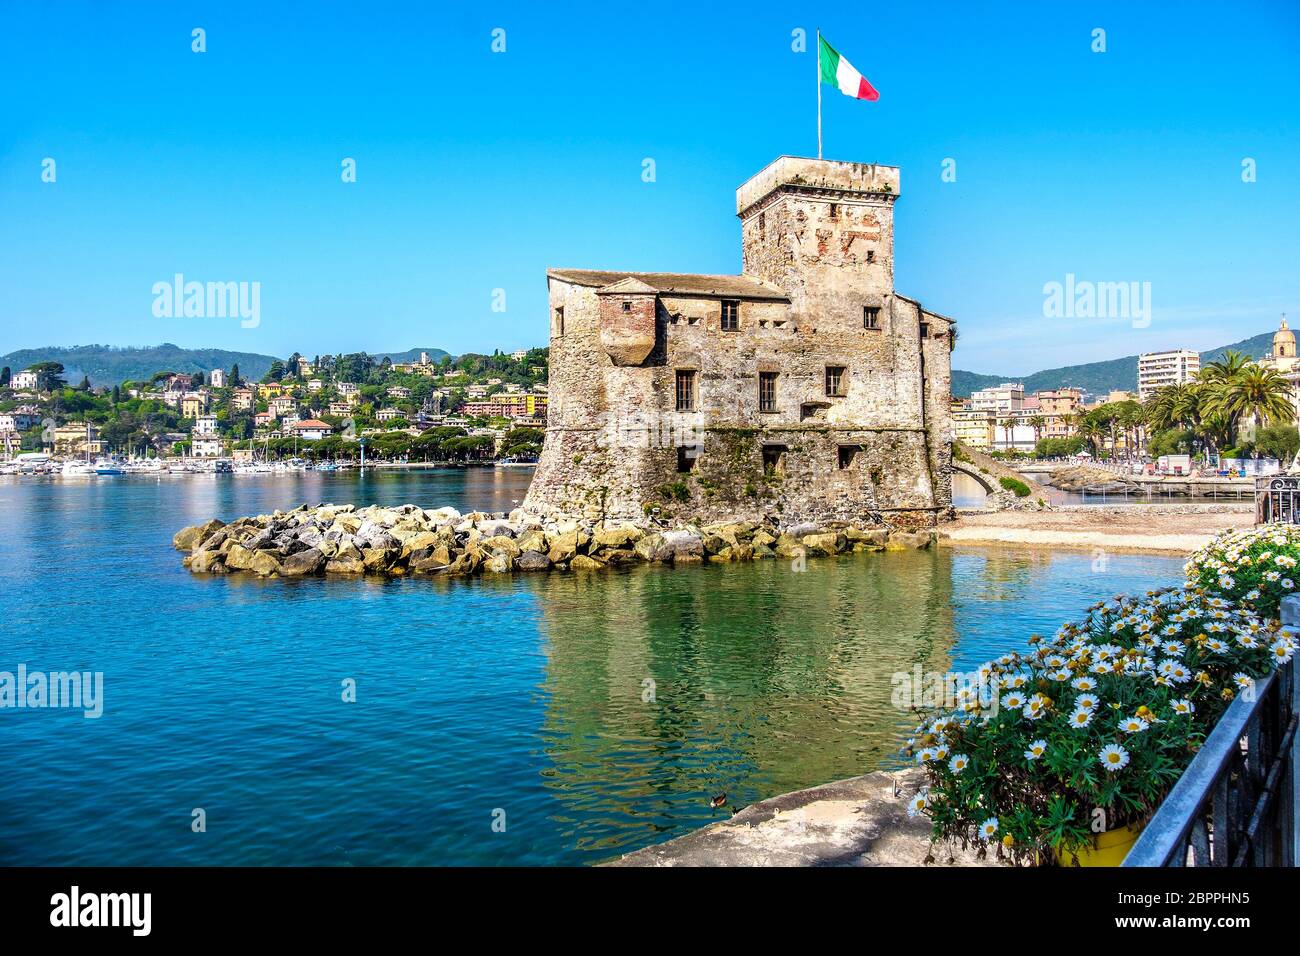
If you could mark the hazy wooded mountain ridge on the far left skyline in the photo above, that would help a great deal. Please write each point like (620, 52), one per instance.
(106, 365)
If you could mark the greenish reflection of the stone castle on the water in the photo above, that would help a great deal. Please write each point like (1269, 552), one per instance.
(665, 689)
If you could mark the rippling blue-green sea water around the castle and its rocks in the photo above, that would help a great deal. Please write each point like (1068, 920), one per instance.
(593, 713)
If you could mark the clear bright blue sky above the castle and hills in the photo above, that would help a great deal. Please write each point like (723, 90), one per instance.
(476, 171)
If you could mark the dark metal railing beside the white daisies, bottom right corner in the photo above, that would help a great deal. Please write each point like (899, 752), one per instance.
(1236, 804)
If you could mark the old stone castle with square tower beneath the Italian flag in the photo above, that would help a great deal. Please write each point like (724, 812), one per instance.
(804, 390)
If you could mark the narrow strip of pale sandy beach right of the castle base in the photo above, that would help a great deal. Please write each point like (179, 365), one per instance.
(1154, 529)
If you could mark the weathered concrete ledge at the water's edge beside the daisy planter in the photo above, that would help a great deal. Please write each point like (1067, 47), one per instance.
(857, 823)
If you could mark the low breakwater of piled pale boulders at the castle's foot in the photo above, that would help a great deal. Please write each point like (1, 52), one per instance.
(409, 540)
